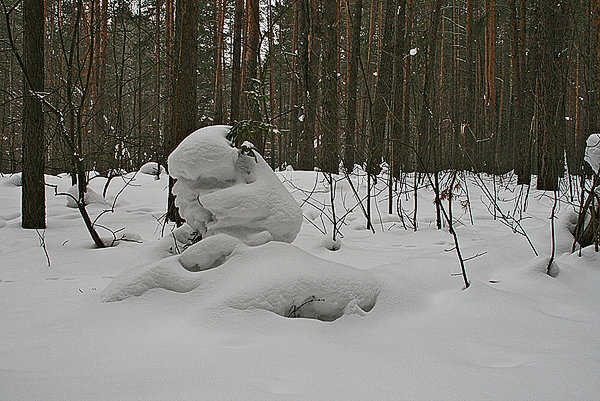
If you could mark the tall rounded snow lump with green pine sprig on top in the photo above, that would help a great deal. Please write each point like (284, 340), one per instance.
(224, 190)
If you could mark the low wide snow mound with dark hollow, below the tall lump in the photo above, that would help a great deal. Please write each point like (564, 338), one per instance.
(275, 277)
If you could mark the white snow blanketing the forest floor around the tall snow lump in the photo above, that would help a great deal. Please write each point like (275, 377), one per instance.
(400, 324)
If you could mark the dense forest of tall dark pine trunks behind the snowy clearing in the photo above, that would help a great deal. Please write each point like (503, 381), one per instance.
(484, 86)
